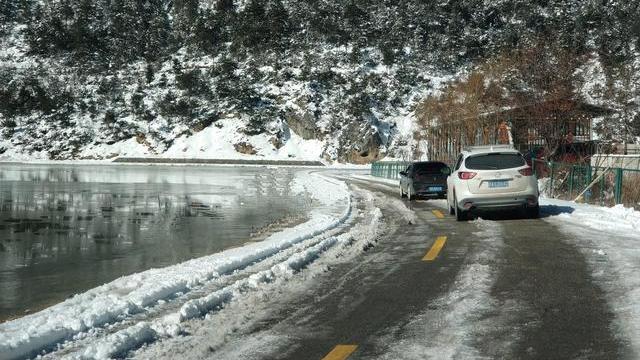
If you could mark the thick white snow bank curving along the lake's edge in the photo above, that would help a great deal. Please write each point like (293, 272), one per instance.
(134, 293)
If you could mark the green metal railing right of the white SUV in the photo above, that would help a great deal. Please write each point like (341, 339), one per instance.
(609, 186)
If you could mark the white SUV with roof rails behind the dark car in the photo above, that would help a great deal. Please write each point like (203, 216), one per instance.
(492, 177)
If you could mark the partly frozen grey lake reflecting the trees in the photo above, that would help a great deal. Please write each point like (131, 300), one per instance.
(67, 228)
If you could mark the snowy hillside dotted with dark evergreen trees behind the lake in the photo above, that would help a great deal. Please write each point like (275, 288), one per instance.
(274, 79)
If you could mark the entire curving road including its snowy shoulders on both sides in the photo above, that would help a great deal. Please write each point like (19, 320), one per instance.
(564, 286)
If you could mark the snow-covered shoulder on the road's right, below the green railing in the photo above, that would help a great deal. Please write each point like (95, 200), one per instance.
(610, 241)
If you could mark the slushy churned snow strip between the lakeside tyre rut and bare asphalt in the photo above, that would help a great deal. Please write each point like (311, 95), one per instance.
(212, 333)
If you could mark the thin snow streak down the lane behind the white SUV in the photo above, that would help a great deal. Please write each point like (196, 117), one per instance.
(447, 330)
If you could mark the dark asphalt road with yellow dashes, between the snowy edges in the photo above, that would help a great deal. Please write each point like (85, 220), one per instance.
(434, 288)
